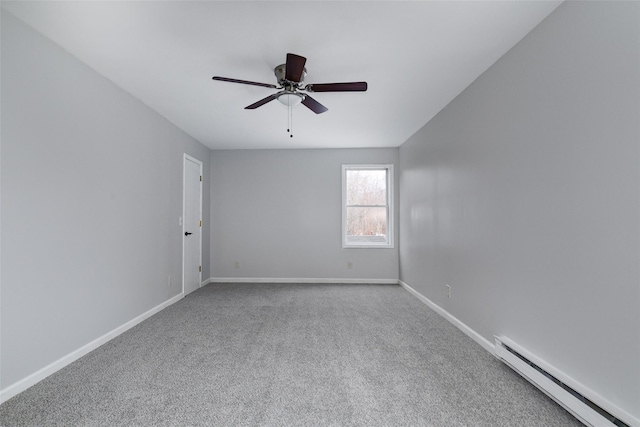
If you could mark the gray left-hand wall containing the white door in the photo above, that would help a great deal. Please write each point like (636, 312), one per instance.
(91, 195)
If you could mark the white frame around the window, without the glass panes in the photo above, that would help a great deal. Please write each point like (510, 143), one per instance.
(389, 244)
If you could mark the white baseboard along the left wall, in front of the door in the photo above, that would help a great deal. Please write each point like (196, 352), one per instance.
(23, 384)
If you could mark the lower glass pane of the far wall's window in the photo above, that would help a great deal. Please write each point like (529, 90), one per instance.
(367, 224)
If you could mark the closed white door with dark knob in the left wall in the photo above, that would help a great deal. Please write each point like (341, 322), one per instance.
(192, 225)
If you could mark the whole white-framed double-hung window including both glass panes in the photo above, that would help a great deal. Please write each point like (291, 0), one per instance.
(367, 206)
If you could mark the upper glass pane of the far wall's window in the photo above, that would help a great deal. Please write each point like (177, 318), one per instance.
(367, 187)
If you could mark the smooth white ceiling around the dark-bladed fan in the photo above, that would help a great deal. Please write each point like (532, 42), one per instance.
(416, 57)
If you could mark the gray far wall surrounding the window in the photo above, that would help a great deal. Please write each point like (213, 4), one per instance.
(278, 213)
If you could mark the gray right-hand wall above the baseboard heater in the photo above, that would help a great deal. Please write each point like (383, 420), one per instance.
(523, 195)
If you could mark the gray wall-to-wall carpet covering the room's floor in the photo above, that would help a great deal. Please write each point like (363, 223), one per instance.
(288, 355)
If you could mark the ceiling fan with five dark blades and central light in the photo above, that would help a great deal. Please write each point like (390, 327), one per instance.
(290, 83)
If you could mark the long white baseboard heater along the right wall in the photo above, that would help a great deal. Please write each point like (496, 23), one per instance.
(538, 373)
